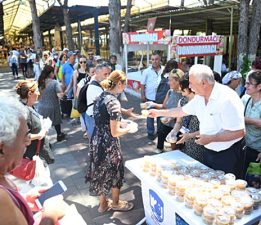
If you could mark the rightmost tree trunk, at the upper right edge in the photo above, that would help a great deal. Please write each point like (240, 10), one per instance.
(254, 30)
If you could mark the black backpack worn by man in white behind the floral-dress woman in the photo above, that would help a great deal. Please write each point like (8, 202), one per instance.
(82, 100)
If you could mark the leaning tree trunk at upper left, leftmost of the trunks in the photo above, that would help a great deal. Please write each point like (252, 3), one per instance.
(36, 25)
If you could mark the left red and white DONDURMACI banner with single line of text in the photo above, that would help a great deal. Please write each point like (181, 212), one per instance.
(150, 37)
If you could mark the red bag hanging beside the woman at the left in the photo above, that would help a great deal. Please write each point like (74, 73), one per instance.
(26, 169)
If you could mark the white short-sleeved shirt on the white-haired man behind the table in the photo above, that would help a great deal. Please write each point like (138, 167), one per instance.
(224, 111)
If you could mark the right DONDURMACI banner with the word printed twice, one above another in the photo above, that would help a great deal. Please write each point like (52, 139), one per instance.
(190, 46)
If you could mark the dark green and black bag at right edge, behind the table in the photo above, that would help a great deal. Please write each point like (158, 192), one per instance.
(253, 175)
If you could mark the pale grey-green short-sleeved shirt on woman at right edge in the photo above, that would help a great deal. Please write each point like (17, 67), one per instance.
(253, 133)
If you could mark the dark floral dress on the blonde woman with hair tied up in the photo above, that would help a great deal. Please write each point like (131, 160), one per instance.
(105, 165)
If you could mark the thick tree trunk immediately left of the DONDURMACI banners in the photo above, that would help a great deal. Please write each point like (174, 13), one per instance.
(115, 27)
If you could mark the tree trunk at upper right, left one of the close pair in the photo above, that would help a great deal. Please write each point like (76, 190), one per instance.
(242, 33)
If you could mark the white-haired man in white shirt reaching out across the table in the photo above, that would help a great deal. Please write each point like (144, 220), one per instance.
(221, 116)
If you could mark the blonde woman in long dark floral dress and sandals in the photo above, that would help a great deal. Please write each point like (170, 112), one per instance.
(106, 169)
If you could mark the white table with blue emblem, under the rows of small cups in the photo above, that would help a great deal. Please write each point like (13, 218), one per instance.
(168, 211)
